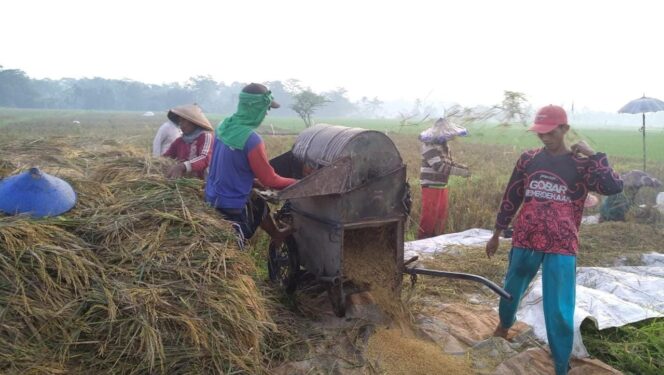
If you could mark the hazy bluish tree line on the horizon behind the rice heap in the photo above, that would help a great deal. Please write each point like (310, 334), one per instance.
(18, 90)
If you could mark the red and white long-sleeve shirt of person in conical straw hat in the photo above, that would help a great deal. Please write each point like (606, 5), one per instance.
(195, 155)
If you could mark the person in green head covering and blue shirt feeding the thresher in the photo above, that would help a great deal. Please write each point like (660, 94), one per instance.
(239, 161)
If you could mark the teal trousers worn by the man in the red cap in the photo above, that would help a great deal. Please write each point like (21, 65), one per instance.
(558, 291)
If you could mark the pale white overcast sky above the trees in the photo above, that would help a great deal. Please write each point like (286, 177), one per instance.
(596, 54)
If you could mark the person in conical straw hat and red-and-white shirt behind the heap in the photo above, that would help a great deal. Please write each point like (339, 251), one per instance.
(193, 149)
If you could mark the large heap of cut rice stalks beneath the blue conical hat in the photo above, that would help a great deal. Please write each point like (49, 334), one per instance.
(141, 277)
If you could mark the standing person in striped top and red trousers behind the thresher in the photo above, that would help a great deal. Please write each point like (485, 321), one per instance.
(437, 166)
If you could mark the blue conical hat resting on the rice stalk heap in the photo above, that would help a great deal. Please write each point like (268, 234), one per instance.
(36, 193)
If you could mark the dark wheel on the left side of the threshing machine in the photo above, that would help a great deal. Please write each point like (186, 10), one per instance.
(283, 264)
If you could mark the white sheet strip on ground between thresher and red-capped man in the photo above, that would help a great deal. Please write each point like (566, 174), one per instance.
(443, 243)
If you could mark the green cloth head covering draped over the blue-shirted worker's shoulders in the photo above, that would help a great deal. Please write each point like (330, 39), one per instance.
(251, 110)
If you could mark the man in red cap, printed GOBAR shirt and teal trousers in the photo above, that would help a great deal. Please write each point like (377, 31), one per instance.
(550, 185)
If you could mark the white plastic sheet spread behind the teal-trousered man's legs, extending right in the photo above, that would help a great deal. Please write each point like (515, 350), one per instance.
(611, 297)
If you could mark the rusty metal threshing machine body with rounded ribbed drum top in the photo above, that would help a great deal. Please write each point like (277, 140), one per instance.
(357, 189)
